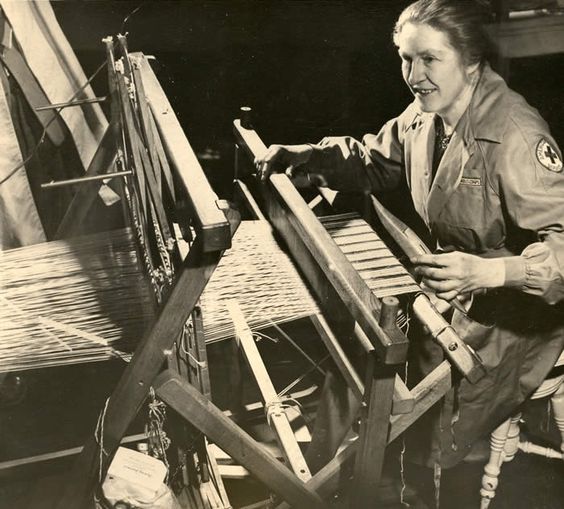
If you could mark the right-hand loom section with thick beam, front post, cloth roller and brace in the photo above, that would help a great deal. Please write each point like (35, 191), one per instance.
(342, 290)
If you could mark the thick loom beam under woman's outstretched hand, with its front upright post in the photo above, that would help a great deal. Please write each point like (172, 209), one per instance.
(337, 284)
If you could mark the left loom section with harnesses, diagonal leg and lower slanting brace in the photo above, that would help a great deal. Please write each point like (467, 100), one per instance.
(141, 160)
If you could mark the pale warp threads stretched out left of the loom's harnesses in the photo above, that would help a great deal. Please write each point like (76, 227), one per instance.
(72, 301)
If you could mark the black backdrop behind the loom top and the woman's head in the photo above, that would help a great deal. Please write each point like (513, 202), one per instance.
(307, 68)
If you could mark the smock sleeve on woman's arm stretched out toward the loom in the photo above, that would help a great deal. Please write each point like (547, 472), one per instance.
(374, 164)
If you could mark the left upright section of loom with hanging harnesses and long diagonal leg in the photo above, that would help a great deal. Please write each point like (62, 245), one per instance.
(164, 185)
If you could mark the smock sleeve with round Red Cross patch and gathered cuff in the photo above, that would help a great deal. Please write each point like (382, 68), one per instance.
(532, 184)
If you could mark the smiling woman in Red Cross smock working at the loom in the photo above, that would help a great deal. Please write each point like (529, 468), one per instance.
(486, 177)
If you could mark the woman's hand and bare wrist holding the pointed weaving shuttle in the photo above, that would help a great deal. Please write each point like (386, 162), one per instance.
(456, 273)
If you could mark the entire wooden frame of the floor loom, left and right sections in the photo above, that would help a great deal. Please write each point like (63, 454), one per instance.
(172, 166)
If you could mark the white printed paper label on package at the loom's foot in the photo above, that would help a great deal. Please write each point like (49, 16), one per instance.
(138, 468)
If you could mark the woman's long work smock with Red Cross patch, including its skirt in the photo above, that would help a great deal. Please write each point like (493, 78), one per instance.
(498, 192)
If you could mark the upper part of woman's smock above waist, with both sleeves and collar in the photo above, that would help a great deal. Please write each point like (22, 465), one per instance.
(498, 191)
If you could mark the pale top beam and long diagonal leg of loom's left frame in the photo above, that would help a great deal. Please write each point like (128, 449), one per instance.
(214, 224)
